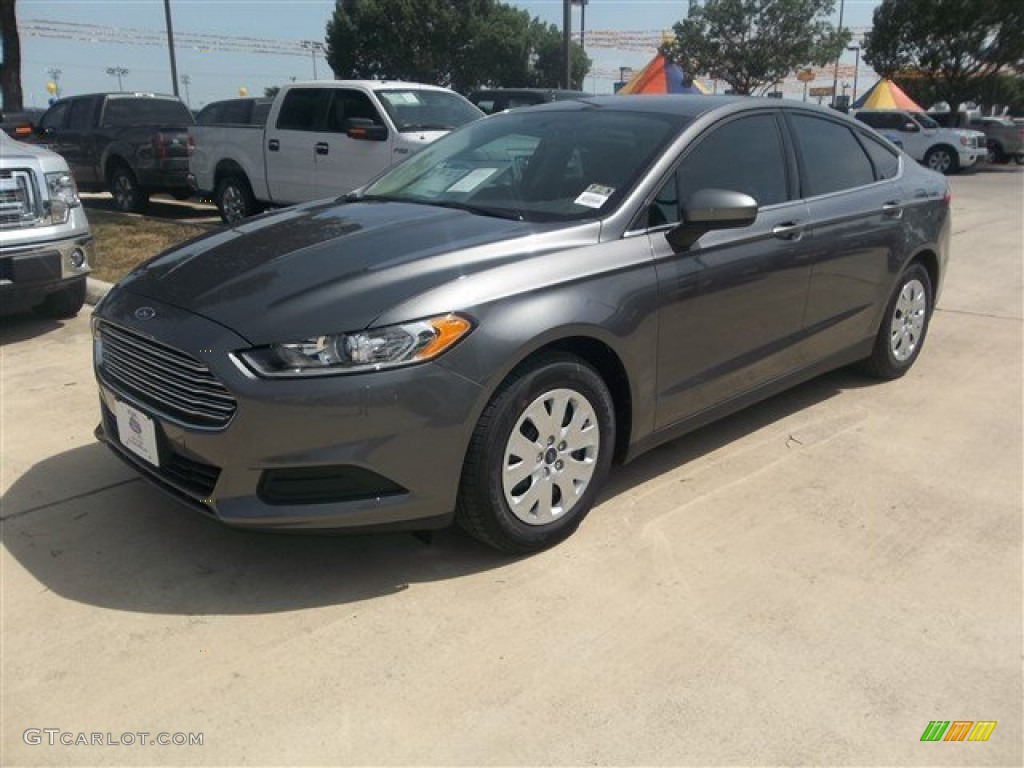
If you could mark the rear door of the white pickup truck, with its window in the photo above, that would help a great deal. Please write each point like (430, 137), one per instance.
(290, 145)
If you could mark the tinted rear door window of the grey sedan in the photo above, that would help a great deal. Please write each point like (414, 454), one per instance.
(834, 160)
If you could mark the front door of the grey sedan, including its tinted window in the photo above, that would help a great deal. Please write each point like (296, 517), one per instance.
(733, 305)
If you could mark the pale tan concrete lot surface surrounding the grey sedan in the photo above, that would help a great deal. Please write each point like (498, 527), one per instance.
(809, 582)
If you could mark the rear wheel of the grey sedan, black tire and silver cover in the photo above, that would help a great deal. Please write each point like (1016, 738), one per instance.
(905, 326)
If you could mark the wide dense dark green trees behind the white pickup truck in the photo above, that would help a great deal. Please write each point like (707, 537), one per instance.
(456, 44)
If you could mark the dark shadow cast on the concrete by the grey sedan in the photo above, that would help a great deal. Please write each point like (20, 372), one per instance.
(125, 546)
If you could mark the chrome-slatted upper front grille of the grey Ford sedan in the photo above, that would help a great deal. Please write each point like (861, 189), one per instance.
(170, 382)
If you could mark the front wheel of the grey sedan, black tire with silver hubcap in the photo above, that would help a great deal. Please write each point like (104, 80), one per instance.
(572, 389)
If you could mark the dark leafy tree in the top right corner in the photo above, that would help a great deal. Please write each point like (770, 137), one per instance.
(958, 47)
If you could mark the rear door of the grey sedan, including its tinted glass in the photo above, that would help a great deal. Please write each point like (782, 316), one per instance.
(857, 201)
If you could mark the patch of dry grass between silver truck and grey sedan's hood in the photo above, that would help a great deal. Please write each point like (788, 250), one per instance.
(123, 241)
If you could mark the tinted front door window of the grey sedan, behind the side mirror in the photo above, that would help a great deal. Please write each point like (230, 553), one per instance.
(745, 156)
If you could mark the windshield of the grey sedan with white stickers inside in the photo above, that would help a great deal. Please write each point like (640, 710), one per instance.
(543, 165)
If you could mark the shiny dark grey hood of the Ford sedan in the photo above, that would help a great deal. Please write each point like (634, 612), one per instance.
(327, 268)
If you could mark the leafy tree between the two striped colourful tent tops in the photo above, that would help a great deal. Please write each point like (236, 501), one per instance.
(751, 45)
